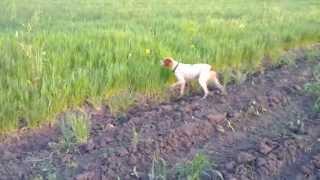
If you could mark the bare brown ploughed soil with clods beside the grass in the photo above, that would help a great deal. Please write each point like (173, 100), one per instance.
(263, 129)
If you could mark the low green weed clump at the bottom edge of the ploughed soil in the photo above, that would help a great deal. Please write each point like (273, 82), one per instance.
(199, 167)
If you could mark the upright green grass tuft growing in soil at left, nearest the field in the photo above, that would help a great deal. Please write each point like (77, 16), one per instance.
(75, 129)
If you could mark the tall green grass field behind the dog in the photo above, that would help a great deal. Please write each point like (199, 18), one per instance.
(55, 54)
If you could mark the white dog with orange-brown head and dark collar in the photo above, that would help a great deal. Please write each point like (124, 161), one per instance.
(187, 72)
